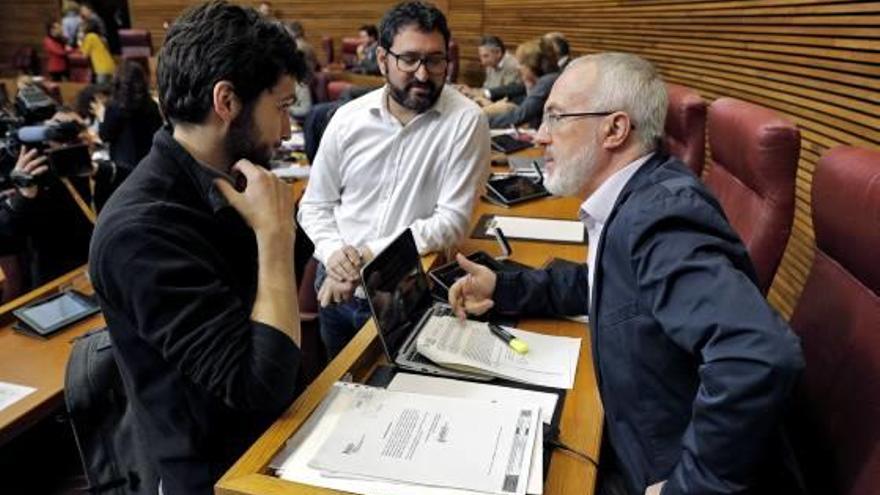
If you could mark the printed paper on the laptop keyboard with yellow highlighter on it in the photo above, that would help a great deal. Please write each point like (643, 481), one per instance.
(551, 361)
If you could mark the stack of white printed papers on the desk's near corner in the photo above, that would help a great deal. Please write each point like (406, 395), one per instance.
(373, 441)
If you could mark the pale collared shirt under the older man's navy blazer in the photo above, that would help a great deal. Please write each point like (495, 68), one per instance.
(595, 210)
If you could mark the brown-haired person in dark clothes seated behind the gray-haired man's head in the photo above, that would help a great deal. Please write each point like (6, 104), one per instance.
(537, 67)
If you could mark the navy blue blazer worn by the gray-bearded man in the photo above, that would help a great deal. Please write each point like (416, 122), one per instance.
(694, 367)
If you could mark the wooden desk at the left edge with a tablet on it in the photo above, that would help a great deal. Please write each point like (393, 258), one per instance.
(35, 362)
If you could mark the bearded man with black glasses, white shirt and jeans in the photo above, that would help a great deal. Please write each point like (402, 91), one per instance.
(408, 155)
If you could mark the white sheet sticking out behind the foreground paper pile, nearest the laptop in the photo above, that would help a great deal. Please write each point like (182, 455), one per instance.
(447, 387)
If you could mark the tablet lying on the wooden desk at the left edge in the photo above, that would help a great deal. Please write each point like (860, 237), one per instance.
(51, 314)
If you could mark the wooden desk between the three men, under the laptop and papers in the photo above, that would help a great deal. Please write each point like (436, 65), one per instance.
(581, 421)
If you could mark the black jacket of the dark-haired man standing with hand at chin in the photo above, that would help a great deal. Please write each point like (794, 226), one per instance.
(175, 269)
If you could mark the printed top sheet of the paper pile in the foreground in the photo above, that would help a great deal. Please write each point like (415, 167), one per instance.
(435, 441)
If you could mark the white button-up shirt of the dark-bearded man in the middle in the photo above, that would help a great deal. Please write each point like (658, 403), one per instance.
(373, 177)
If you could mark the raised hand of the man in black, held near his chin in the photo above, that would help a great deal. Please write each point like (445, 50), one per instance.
(266, 203)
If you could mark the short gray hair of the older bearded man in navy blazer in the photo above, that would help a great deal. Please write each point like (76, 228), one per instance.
(629, 83)
